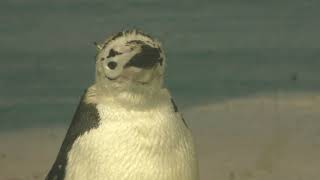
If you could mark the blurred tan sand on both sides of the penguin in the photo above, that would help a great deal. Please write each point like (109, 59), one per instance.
(266, 137)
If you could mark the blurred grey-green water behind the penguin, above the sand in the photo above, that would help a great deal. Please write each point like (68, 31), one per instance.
(216, 50)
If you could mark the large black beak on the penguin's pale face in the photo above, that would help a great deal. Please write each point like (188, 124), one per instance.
(147, 58)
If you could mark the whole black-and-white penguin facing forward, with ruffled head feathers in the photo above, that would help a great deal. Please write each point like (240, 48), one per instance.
(127, 126)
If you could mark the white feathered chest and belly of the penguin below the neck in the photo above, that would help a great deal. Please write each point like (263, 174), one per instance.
(134, 145)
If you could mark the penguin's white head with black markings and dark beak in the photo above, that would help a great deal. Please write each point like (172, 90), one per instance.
(130, 59)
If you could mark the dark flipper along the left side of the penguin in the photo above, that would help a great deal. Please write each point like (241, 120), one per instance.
(85, 118)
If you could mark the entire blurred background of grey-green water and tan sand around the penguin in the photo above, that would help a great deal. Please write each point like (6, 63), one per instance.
(244, 73)
